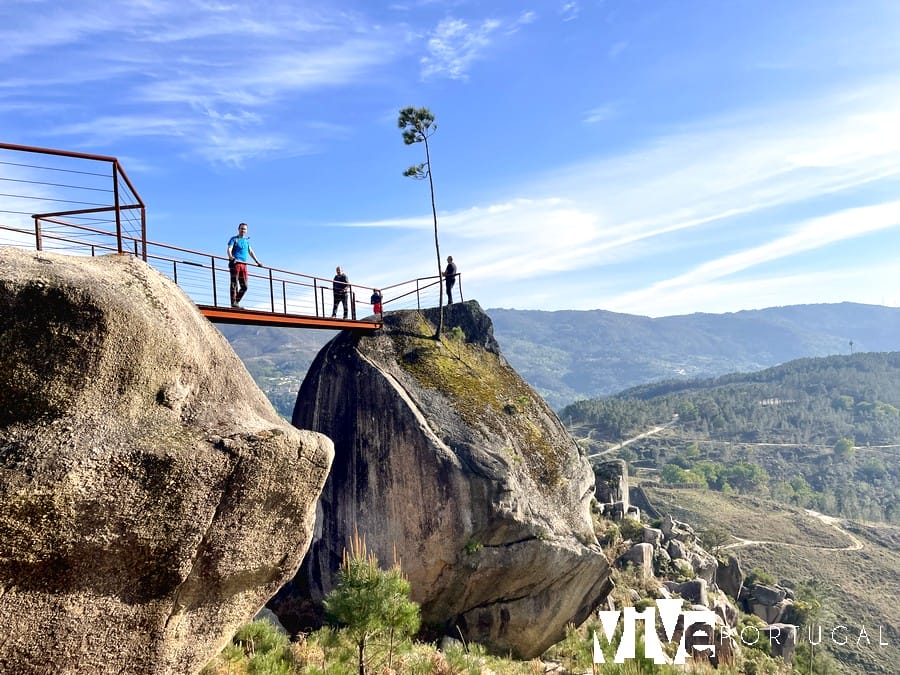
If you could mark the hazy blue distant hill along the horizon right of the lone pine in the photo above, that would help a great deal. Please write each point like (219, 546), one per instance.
(569, 355)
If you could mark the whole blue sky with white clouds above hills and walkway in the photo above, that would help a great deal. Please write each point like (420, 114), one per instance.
(642, 156)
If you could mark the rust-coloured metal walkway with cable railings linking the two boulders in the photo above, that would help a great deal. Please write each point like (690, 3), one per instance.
(92, 208)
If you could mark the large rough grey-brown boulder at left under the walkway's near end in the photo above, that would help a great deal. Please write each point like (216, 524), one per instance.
(151, 500)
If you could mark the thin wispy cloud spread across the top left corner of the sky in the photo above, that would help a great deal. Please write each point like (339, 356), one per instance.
(208, 76)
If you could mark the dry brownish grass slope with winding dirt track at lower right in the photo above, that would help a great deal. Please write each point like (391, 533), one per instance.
(859, 589)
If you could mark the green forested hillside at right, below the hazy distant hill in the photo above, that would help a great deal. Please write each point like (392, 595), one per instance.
(822, 433)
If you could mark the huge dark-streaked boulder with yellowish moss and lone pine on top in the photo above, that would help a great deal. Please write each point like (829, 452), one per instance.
(448, 460)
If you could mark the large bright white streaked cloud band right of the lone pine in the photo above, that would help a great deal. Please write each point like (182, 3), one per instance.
(650, 213)
